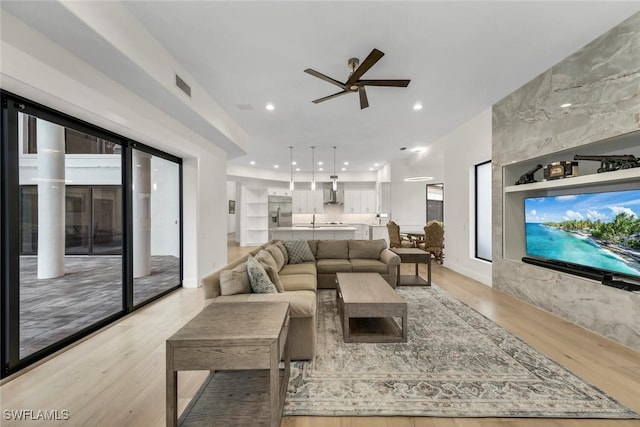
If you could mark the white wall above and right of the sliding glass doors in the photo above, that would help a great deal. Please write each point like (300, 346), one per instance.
(38, 69)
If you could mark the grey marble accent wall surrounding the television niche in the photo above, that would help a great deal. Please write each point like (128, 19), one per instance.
(602, 81)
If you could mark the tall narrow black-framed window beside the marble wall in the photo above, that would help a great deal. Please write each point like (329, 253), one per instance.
(483, 222)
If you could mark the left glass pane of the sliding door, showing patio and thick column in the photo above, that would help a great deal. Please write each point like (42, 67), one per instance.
(62, 290)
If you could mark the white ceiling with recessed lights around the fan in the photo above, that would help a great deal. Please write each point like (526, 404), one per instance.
(461, 58)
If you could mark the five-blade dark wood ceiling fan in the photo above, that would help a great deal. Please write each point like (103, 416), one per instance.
(353, 83)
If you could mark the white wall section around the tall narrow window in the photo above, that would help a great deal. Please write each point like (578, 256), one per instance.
(464, 148)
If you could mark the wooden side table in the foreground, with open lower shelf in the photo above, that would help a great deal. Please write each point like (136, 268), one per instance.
(243, 340)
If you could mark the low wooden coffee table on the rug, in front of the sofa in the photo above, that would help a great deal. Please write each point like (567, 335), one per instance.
(368, 305)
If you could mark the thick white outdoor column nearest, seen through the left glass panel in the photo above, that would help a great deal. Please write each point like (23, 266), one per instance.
(51, 200)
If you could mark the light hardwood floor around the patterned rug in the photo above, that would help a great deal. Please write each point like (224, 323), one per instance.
(117, 376)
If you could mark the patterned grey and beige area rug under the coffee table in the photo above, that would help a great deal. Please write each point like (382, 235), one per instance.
(456, 363)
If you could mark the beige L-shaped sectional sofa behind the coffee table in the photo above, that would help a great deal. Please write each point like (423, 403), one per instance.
(300, 281)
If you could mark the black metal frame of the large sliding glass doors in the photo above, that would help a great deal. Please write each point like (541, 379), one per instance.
(11, 105)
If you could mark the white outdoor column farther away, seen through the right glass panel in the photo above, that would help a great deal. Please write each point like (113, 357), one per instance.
(141, 214)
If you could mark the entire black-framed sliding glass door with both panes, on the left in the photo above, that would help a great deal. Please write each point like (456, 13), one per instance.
(91, 229)
